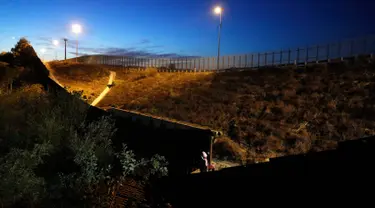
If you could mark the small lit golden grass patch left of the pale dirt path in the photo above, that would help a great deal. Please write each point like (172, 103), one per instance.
(90, 79)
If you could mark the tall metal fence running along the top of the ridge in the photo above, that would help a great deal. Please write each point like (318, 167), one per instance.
(302, 55)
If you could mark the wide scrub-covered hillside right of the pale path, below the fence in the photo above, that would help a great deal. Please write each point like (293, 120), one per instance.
(274, 111)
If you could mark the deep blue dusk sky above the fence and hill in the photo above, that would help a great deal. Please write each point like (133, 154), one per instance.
(184, 27)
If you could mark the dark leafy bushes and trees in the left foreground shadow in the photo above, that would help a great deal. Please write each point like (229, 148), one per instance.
(51, 154)
